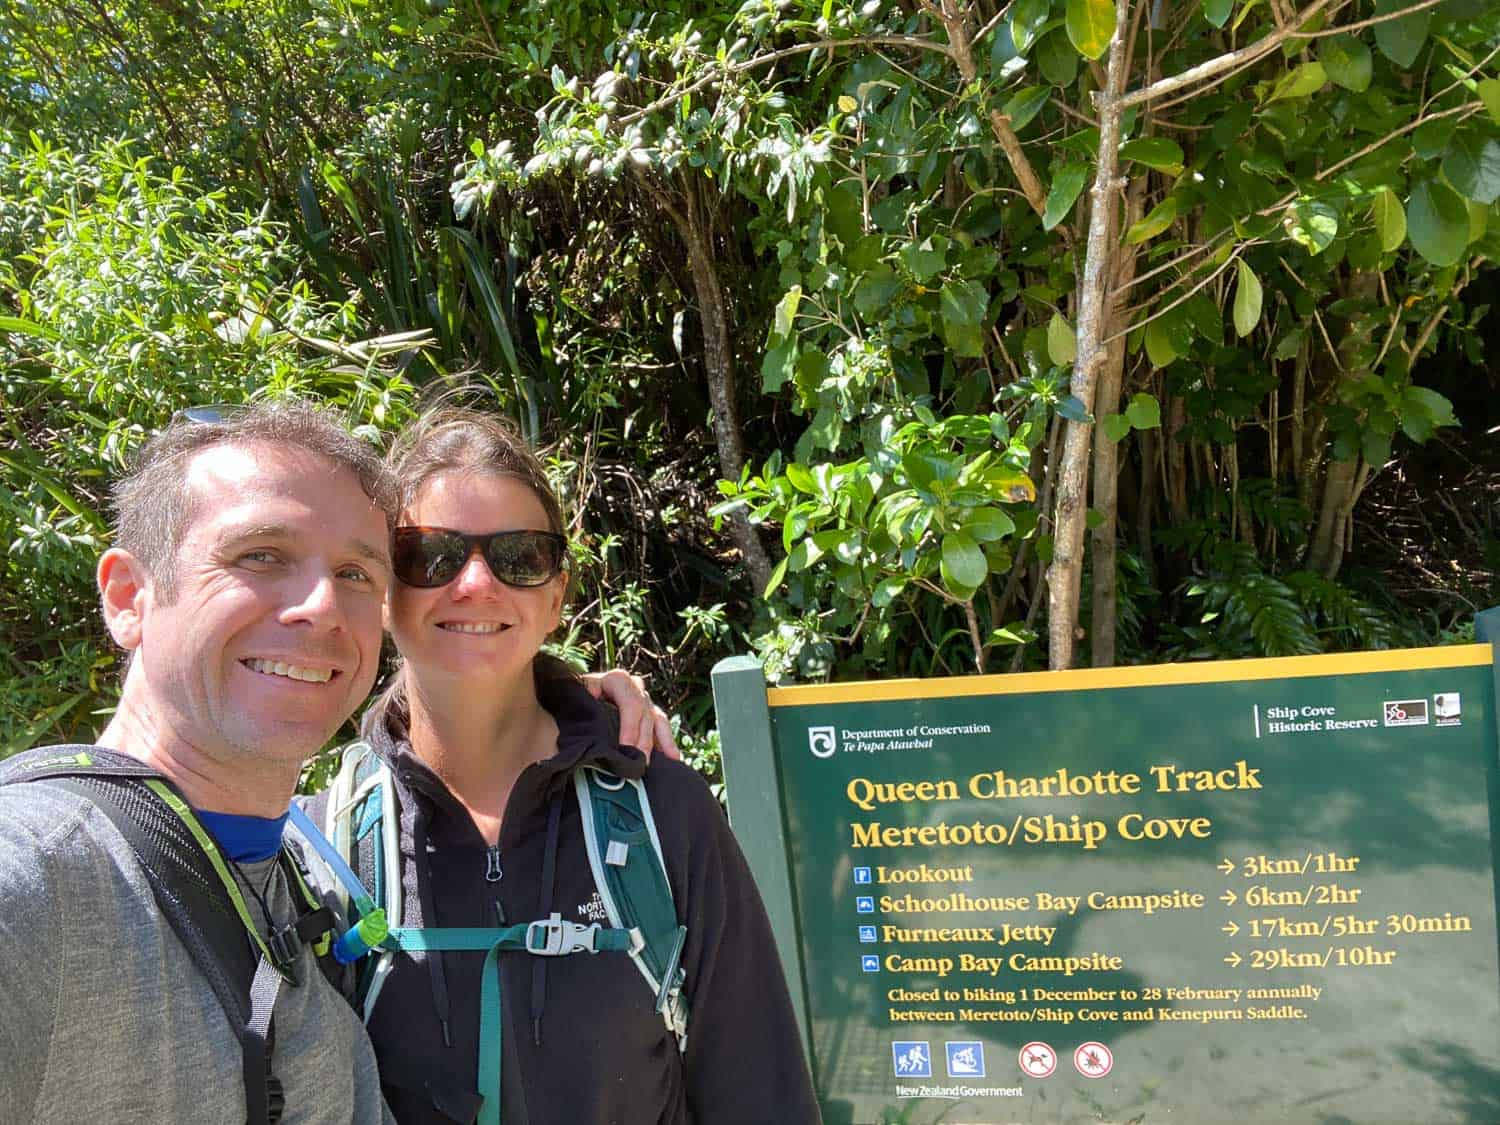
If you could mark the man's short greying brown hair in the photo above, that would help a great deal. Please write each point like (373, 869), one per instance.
(152, 508)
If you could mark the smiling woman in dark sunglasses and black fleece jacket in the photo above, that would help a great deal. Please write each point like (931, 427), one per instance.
(484, 736)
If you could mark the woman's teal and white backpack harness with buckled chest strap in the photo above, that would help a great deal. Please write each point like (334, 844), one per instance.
(359, 847)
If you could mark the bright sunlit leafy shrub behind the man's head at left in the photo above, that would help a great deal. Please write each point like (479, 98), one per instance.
(130, 295)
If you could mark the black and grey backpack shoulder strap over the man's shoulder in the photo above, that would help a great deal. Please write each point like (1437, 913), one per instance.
(188, 892)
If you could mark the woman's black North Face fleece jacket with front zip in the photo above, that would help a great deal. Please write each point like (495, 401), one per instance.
(583, 1043)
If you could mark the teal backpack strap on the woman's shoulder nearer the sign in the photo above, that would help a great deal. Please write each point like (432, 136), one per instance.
(625, 854)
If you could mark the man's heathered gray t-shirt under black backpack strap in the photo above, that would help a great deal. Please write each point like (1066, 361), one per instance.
(104, 1018)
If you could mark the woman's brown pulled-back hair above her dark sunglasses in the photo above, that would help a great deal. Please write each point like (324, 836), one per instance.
(457, 440)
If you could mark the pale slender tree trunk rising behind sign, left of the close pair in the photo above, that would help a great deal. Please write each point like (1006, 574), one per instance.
(1066, 574)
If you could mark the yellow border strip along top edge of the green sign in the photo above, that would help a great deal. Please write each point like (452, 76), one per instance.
(1144, 676)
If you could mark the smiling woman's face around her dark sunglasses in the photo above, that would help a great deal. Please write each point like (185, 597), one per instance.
(475, 628)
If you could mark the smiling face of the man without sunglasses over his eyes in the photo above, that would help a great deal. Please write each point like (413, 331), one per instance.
(275, 634)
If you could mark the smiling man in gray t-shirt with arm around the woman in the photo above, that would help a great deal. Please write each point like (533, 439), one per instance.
(247, 584)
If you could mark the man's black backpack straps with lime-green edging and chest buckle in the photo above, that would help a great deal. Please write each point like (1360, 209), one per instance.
(197, 895)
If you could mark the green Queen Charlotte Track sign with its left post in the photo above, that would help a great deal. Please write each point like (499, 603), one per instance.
(1252, 892)
